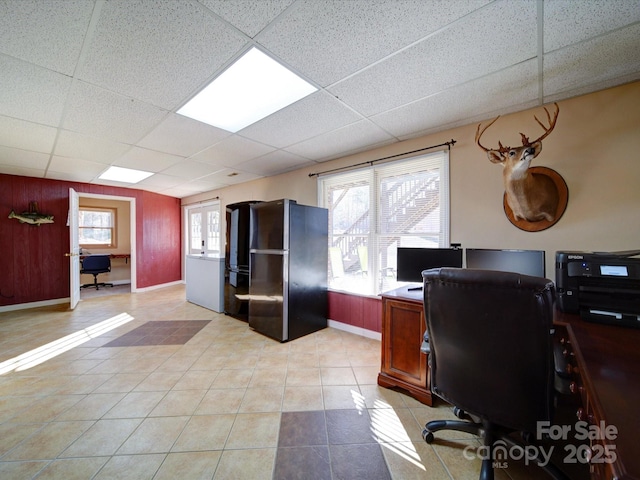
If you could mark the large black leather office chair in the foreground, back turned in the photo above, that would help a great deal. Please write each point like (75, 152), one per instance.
(490, 346)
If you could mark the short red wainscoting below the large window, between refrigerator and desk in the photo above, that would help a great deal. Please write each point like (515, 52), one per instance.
(361, 312)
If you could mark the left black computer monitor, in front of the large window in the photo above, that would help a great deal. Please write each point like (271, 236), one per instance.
(412, 261)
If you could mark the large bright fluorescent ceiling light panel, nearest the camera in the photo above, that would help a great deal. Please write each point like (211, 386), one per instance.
(252, 88)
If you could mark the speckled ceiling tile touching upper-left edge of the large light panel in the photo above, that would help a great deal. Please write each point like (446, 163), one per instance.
(163, 59)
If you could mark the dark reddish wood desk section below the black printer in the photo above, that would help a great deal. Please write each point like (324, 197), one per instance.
(607, 375)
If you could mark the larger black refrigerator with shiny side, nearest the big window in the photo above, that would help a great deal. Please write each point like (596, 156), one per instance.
(288, 269)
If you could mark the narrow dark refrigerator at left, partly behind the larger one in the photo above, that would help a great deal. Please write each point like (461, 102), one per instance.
(236, 274)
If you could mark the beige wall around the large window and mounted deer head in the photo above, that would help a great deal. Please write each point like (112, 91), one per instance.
(595, 147)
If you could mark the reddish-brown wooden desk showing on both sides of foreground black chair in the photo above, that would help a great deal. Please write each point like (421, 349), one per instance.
(605, 366)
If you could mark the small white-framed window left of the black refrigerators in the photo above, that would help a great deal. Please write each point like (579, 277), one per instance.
(203, 230)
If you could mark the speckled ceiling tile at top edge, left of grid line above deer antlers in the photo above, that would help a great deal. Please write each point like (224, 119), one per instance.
(485, 41)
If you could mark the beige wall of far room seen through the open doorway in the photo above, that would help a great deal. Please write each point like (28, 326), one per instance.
(120, 269)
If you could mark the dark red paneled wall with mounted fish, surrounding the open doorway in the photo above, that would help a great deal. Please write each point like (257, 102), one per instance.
(33, 267)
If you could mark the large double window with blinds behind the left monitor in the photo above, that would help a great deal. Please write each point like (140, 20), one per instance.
(375, 210)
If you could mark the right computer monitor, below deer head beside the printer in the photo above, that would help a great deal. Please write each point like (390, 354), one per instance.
(526, 262)
